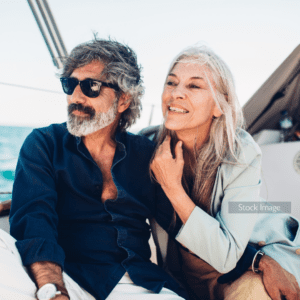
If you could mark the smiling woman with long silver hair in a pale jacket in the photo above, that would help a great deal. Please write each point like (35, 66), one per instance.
(209, 168)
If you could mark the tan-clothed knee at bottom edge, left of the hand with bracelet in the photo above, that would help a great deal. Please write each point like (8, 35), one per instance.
(248, 287)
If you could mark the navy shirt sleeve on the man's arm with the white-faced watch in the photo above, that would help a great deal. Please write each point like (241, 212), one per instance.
(33, 218)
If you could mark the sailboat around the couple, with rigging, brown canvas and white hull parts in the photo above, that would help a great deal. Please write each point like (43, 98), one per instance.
(281, 91)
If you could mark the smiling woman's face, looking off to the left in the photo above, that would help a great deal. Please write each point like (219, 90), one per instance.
(187, 99)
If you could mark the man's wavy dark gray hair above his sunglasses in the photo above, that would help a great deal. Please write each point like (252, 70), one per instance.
(121, 68)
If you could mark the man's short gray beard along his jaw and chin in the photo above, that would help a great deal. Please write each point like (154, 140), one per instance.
(82, 126)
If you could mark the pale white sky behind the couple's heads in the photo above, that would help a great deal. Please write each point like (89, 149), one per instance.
(253, 37)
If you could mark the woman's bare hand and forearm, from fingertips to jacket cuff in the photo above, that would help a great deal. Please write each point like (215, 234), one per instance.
(168, 172)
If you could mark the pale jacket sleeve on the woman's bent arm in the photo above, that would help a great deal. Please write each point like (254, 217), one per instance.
(221, 240)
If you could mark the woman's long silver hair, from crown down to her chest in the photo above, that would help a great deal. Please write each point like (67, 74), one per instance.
(222, 145)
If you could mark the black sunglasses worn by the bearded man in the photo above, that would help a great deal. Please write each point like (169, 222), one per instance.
(89, 87)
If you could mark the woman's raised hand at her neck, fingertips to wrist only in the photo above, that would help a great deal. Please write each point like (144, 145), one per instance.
(168, 170)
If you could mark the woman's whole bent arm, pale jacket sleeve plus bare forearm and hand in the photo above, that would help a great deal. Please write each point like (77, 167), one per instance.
(222, 240)
